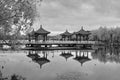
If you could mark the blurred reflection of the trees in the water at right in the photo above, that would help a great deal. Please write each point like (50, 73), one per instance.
(107, 54)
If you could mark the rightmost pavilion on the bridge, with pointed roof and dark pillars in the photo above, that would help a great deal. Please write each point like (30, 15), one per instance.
(82, 35)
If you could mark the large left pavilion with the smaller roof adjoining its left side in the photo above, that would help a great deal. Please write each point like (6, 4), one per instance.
(39, 32)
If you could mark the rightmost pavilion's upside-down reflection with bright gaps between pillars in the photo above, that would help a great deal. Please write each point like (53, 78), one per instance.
(82, 57)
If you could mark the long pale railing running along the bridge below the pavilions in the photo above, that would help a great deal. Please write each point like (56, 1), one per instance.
(48, 42)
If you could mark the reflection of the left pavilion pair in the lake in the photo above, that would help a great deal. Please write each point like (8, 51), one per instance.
(40, 59)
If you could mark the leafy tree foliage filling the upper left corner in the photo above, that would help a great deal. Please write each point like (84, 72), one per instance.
(16, 16)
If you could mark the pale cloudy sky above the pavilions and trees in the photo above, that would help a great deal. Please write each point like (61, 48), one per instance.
(59, 15)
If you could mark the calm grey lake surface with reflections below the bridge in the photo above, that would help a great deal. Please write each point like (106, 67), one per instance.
(100, 64)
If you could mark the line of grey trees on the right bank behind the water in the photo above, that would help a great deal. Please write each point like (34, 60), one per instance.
(107, 35)
